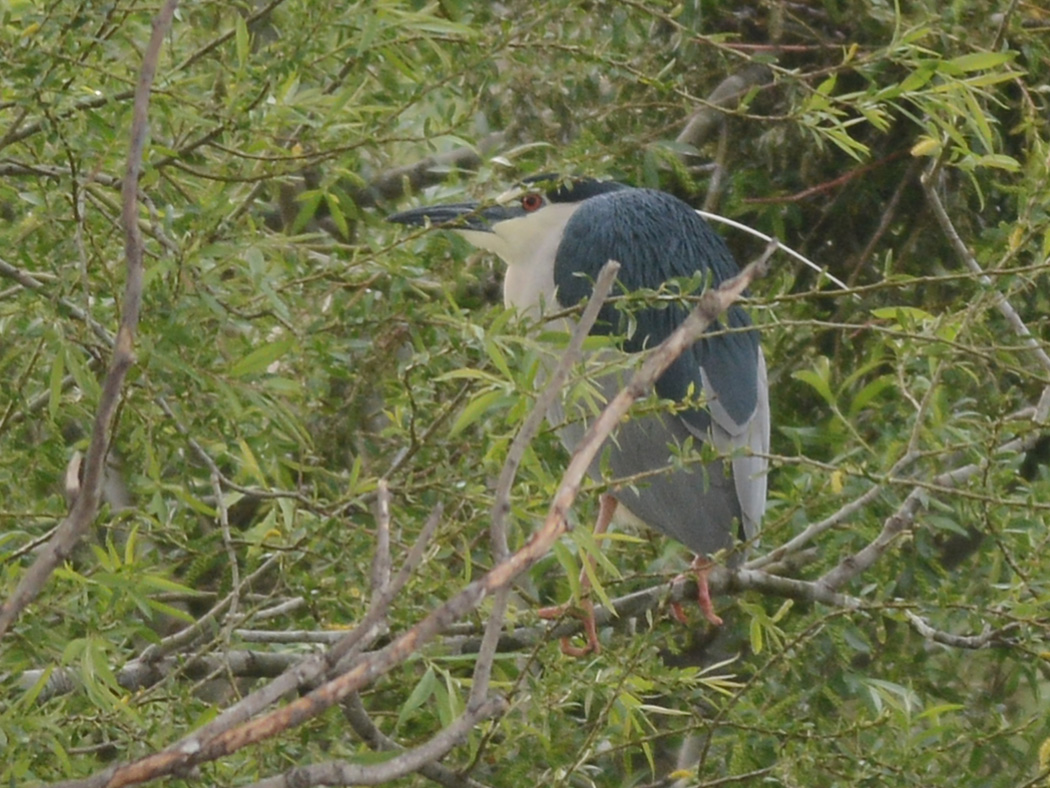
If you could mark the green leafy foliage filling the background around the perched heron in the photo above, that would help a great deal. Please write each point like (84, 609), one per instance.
(307, 349)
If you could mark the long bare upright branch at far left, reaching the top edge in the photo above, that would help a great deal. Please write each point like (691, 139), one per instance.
(85, 510)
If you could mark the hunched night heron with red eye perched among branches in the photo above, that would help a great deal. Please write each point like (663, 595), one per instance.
(555, 234)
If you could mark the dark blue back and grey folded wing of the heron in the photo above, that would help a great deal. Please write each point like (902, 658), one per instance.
(657, 238)
